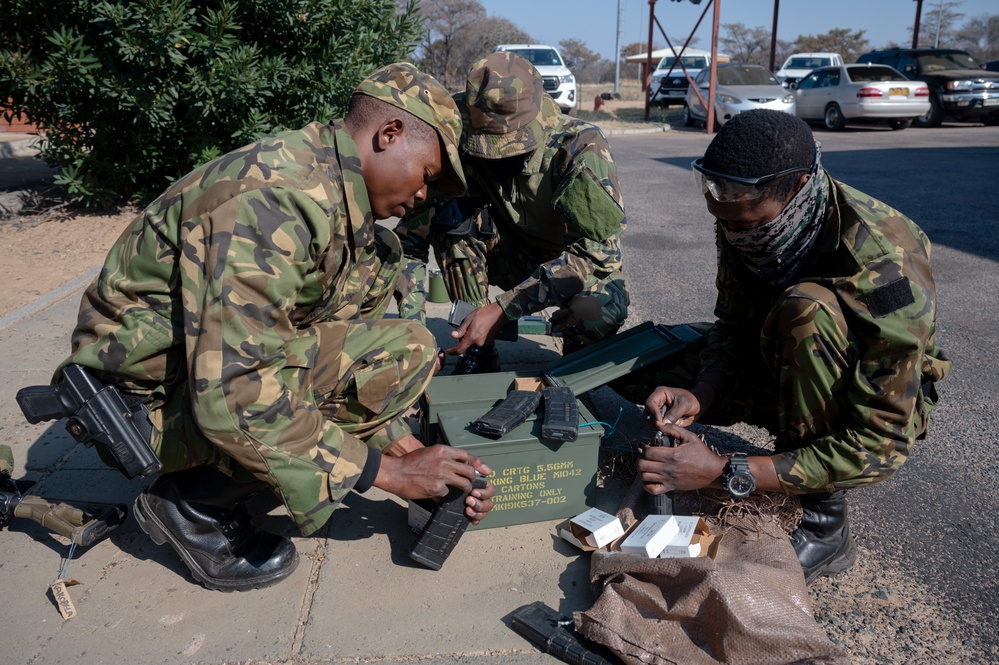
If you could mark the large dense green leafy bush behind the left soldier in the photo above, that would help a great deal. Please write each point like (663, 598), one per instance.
(131, 95)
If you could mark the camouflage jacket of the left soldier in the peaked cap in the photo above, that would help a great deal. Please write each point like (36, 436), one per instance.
(206, 307)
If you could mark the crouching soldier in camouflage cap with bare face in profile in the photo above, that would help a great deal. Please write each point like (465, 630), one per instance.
(244, 306)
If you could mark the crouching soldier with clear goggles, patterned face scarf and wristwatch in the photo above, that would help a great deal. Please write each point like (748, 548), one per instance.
(824, 335)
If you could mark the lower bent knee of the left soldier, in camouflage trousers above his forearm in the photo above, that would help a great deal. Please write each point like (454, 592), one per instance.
(369, 373)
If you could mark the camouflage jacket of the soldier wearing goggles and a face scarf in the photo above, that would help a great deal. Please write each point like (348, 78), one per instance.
(864, 246)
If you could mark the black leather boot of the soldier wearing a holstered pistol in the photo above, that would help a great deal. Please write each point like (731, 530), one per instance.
(201, 512)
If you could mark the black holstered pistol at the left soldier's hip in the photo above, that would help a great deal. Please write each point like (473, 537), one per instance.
(97, 414)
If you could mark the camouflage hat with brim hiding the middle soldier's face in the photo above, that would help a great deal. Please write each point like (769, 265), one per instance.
(508, 108)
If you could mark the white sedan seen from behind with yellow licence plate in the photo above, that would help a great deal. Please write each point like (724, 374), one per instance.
(860, 93)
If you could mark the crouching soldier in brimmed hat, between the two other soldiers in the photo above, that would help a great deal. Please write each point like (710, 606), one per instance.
(542, 219)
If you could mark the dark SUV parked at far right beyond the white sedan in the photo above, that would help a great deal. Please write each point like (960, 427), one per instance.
(958, 87)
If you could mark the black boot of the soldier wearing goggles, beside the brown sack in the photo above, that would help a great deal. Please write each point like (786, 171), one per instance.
(822, 540)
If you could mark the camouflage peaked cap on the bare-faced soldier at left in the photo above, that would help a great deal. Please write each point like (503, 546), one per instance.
(404, 86)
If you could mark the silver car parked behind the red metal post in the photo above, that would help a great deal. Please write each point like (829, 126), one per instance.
(739, 88)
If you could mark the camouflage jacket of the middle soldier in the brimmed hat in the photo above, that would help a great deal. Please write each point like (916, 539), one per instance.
(565, 205)
